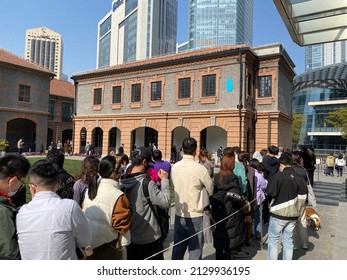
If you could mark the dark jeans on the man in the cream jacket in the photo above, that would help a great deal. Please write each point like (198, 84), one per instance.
(183, 228)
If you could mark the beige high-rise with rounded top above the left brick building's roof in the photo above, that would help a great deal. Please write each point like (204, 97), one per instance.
(45, 48)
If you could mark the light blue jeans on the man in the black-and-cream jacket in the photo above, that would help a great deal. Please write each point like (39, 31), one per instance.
(276, 226)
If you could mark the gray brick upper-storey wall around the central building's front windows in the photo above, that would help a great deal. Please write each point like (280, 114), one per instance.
(227, 100)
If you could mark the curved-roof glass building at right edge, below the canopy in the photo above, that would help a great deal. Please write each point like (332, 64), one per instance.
(315, 94)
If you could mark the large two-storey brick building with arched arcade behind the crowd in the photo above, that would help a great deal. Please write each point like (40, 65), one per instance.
(223, 96)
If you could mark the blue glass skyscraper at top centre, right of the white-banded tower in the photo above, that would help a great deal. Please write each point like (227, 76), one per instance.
(220, 22)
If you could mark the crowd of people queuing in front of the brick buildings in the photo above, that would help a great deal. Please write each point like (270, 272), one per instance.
(112, 208)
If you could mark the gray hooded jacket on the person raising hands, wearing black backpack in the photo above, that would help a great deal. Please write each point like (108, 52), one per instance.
(144, 226)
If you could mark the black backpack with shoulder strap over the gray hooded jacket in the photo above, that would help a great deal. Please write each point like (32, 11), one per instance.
(161, 215)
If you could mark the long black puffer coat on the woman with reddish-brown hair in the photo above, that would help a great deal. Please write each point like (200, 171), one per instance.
(227, 201)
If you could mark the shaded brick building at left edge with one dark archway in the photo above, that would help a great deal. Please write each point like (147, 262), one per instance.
(24, 95)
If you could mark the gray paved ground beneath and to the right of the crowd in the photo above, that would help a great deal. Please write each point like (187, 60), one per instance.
(329, 243)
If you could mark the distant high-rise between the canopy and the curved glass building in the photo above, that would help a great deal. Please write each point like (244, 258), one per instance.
(325, 54)
